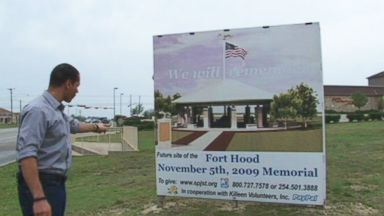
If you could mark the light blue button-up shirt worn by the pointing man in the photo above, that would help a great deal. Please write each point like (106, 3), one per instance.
(45, 133)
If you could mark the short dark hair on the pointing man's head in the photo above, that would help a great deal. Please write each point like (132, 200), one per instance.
(63, 72)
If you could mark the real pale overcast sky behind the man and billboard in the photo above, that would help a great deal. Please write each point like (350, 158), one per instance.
(111, 42)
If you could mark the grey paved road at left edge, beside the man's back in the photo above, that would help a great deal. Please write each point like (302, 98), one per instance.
(7, 145)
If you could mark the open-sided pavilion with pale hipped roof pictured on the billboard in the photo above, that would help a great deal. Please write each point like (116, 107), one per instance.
(228, 96)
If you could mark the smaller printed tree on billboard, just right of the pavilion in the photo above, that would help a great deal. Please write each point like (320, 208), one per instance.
(283, 107)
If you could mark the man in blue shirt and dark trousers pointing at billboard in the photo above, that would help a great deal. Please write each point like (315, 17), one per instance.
(44, 145)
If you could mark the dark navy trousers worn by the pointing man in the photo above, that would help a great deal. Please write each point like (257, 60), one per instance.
(54, 189)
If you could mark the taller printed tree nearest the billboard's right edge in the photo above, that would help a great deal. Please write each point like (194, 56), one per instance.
(305, 101)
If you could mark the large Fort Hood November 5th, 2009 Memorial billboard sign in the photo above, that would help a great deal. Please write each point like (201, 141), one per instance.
(240, 114)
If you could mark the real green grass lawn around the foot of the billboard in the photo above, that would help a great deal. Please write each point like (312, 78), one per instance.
(124, 183)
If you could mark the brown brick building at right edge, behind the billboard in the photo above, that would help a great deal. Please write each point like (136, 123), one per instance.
(338, 98)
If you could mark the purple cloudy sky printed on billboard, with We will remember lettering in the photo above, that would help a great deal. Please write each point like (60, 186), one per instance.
(278, 58)
